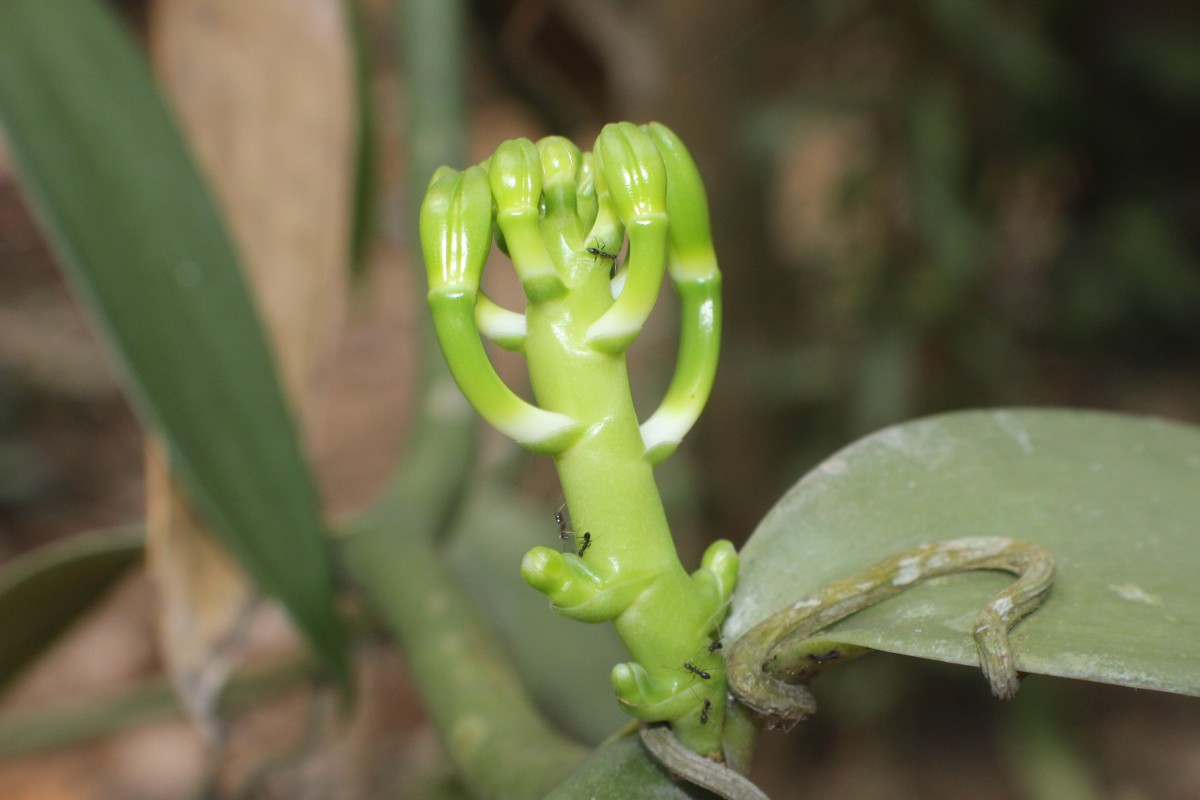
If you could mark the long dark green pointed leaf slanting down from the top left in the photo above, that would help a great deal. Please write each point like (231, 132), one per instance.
(111, 179)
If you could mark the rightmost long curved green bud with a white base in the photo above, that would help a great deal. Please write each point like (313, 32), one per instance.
(692, 262)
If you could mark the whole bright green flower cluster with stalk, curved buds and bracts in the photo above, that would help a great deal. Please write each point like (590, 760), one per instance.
(562, 216)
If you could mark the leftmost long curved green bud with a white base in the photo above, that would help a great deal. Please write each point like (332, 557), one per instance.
(455, 239)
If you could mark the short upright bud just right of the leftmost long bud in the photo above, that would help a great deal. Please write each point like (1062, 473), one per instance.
(515, 177)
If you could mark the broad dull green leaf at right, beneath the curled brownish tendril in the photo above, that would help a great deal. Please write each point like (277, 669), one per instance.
(1115, 498)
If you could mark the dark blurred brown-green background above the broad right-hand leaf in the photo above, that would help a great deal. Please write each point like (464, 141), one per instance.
(920, 206)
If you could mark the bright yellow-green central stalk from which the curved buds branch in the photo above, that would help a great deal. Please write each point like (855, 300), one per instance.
(615, 504)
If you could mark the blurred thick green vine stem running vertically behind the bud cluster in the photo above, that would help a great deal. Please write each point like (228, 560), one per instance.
(501, 745)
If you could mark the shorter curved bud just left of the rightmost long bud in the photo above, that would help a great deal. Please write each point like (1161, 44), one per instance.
(629, 167)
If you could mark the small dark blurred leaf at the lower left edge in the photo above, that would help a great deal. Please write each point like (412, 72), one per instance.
(44, 592)
